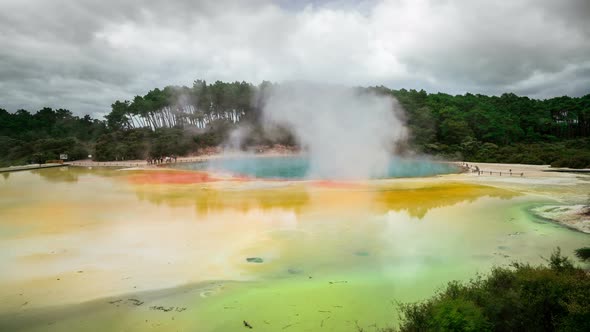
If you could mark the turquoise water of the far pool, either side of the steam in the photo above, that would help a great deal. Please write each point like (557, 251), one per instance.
(297, 167)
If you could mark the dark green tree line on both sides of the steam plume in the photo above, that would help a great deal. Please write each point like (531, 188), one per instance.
(177, 120)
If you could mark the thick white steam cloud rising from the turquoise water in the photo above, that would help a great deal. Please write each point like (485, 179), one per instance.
(348, 133)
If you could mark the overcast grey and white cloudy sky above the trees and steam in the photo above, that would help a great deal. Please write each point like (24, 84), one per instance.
(83, 54)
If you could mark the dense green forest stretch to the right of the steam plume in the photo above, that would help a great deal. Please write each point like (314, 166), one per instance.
(507, 129)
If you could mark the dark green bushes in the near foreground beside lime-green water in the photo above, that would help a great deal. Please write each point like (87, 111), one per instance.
(520, 298)
